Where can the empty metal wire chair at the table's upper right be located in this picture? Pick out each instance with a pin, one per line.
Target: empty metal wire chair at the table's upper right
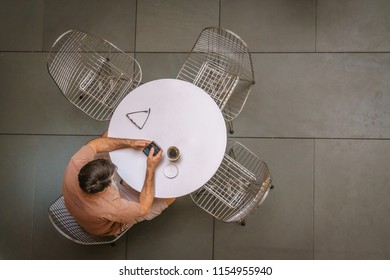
(220, 63)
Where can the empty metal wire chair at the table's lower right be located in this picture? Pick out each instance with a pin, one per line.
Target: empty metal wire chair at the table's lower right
(238, 188)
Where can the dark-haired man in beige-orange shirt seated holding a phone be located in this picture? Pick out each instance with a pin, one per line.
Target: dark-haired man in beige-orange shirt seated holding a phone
(93, 197)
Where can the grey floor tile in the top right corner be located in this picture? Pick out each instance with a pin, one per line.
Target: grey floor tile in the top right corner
(353, 26)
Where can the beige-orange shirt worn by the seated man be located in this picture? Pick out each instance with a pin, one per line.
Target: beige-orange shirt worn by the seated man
(102, 213)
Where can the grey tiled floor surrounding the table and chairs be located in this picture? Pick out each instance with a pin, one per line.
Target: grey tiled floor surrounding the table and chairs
(318, 115)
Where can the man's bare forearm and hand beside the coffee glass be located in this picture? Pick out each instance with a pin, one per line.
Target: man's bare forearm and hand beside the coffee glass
(147, 193)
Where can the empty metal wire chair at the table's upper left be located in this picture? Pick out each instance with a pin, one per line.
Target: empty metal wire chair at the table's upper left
(92, 73)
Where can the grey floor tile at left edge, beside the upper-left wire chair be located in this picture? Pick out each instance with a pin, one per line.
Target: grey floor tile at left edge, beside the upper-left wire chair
(31, 103)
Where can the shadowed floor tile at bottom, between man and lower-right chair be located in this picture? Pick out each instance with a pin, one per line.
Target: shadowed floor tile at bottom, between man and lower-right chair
(183, 231)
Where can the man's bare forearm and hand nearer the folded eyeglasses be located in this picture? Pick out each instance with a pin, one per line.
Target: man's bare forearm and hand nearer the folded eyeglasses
(108, 144)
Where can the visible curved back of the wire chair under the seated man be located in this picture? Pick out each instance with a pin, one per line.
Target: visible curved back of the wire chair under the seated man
(63, 221)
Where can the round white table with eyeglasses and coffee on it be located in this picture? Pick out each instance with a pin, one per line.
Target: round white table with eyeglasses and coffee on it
(181, 115)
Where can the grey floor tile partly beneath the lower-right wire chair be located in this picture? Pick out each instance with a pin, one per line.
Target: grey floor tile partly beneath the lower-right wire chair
(282, 227)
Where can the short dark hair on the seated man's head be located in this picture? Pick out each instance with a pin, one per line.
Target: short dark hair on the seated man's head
(95, 176)
